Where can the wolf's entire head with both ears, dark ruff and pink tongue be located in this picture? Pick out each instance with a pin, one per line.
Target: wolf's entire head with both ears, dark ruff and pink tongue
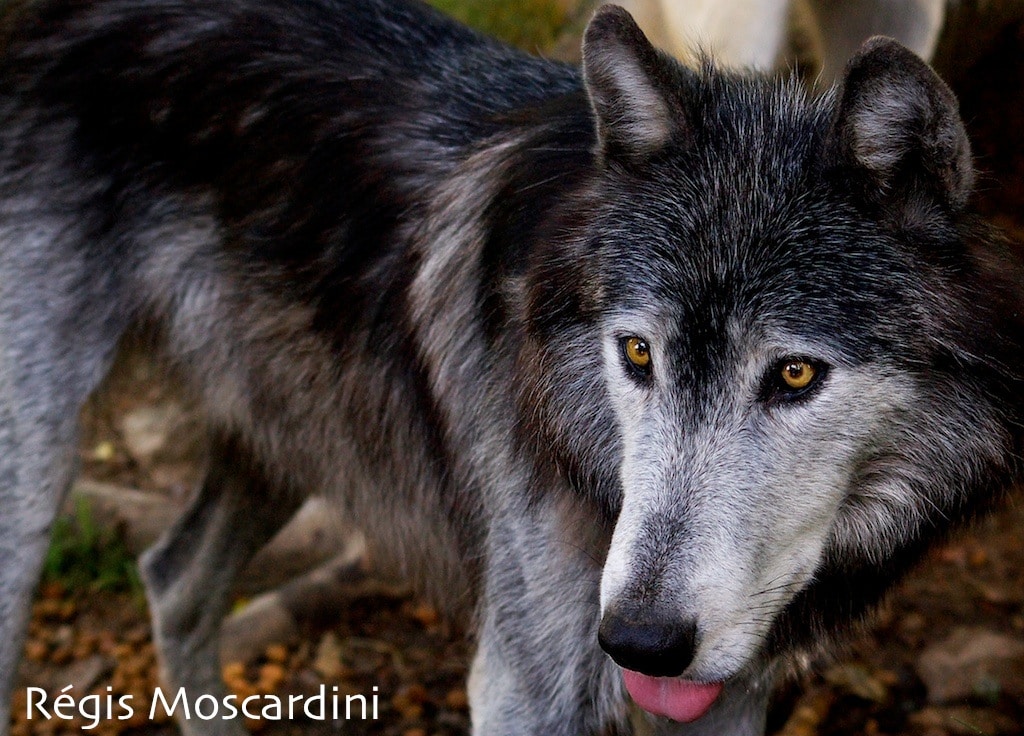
(799, 343)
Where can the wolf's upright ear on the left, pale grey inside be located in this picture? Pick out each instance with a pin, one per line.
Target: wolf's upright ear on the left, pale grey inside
(630, 88)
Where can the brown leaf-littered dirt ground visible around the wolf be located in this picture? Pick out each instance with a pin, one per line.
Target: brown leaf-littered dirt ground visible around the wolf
(946, 657)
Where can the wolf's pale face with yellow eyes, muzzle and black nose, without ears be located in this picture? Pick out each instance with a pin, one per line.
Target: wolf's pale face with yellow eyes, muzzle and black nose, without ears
(749, 415)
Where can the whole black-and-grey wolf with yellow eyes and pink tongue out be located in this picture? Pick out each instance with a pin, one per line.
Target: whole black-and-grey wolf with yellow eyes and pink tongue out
(664, 375)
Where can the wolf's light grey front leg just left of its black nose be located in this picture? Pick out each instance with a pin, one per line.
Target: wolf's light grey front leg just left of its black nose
(539, 669)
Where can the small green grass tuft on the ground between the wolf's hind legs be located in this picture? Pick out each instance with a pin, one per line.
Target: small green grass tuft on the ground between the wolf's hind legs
(84, 557)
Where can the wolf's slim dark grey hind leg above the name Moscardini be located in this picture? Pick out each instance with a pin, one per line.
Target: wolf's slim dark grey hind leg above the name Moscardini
(190, 573)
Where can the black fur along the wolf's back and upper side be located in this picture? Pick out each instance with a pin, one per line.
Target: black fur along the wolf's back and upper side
(265, 104)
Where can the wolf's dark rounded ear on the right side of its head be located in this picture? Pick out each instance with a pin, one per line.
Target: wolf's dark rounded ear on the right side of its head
(899, 124)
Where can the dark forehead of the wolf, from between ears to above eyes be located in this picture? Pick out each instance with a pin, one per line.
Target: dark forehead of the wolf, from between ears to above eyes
(741, 229)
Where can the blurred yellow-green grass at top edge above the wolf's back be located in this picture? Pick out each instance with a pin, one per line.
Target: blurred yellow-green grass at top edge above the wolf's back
(531, 25)
